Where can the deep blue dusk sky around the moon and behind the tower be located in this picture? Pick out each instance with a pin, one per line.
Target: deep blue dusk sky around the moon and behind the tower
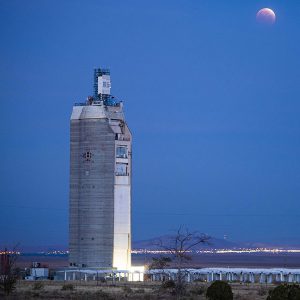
(212, 99)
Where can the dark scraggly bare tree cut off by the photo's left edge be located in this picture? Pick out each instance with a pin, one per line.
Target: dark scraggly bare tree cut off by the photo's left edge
(8, 271)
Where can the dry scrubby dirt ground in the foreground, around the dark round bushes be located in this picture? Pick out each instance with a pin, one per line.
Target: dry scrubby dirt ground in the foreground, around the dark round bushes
(140, 290)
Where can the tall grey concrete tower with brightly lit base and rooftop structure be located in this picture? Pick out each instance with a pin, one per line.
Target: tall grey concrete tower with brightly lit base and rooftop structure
(100, 181)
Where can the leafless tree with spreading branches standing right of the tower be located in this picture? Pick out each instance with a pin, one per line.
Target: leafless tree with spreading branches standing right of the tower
(181, 246)
